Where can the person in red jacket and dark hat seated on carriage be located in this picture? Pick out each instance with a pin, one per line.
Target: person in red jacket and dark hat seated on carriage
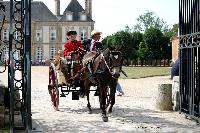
(72, 45)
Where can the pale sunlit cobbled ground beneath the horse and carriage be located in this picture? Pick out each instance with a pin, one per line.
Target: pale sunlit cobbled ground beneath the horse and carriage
(134, 112)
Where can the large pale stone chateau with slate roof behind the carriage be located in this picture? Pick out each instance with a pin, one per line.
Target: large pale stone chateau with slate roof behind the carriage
(49, 29)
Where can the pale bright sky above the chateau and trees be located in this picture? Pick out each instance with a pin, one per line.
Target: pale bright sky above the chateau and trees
(111, 16)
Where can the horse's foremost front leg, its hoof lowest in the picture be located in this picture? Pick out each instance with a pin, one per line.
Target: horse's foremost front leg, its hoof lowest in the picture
(102, 98)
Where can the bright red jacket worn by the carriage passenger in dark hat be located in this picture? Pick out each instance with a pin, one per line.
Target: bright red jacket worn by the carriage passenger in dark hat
(72, 47)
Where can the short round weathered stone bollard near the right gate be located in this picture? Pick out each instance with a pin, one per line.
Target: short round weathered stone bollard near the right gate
(164, 97)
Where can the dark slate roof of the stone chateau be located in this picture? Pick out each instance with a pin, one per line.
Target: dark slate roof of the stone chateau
(41, 13)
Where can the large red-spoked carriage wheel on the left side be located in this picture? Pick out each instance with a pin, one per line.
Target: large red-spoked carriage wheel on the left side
(53, 86)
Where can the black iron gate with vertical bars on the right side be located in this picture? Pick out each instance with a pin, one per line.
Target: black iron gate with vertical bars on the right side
(189, 54)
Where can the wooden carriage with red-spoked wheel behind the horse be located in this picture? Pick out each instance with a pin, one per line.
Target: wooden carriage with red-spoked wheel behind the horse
(65, 79)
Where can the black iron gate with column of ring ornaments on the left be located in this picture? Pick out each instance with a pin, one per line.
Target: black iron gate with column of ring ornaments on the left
(15, 55)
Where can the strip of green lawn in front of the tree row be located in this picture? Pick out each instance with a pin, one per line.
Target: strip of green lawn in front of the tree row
(142, 72)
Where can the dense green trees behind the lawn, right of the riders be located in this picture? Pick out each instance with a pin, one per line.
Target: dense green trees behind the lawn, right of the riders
(149, 39)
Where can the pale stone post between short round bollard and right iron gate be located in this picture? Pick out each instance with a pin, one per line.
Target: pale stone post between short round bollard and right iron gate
(175, 93)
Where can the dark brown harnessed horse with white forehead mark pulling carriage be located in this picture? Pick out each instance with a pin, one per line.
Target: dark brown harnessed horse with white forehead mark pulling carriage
(107, 67)
